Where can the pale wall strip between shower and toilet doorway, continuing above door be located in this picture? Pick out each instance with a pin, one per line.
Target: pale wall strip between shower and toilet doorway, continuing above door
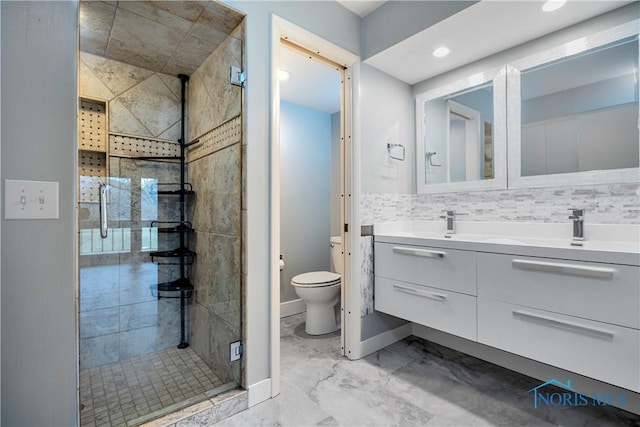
(334, 23)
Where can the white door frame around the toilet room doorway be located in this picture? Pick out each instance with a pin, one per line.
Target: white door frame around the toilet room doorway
(350, 330)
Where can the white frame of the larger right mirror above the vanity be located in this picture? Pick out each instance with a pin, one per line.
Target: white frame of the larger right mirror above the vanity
(514, 70)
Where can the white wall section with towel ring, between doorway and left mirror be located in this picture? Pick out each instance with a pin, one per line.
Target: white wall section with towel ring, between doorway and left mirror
(387, 117)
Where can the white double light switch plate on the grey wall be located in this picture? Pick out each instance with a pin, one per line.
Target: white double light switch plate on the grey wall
(30, 199)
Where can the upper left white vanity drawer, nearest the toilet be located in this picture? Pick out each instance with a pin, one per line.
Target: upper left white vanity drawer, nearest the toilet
(435, 267)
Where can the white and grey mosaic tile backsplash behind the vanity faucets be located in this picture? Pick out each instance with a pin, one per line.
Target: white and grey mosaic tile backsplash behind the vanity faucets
(604, 204)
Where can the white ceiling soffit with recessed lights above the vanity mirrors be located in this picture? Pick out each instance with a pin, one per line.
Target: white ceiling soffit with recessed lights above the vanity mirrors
(471, 35)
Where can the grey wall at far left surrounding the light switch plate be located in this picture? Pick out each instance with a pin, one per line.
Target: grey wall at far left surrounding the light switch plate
(39, 335)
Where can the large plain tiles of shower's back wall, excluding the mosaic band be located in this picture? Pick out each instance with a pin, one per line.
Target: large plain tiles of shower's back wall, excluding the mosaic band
(120, 317)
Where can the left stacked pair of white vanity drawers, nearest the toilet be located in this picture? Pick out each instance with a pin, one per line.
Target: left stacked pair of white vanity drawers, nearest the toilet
(430, 286)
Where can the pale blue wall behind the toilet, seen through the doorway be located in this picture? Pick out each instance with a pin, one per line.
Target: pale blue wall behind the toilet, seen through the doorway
(305, 192)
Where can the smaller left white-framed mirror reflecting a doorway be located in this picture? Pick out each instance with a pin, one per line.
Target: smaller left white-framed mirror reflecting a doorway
(460, 135)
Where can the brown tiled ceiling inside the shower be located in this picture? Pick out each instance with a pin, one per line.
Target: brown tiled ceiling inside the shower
(163, 36)
